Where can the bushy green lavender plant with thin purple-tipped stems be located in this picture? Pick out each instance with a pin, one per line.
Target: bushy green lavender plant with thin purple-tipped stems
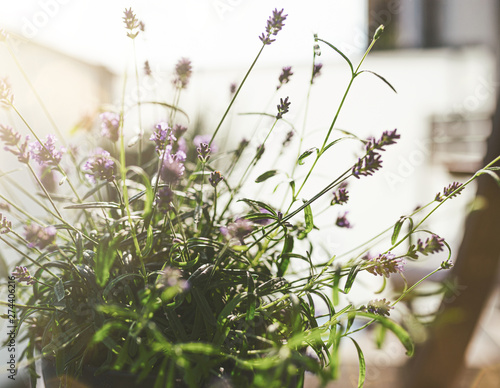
(164, 273)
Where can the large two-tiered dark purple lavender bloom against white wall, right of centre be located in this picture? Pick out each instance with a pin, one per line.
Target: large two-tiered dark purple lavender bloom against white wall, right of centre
(372, 161)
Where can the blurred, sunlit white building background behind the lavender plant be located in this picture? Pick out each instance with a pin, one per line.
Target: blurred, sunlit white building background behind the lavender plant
(440, 55)
